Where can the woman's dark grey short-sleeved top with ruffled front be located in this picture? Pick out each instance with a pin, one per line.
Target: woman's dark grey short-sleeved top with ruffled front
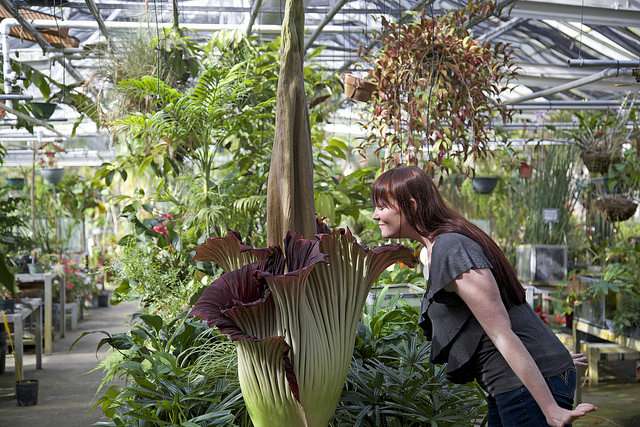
(458, 338)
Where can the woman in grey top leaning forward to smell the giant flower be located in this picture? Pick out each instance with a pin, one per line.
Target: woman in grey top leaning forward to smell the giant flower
(474, 311)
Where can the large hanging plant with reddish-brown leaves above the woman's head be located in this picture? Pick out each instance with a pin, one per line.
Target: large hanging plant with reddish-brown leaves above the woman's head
(437, 90)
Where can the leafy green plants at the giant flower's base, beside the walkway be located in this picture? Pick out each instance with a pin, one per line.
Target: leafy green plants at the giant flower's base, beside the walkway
(160, 383)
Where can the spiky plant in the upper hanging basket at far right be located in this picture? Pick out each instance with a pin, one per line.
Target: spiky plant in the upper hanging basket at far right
(601, 135)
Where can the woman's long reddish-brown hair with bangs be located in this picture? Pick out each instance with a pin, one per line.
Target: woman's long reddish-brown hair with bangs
(433, 217)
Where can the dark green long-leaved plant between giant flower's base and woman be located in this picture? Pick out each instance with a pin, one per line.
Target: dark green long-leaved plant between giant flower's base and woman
(403, 388)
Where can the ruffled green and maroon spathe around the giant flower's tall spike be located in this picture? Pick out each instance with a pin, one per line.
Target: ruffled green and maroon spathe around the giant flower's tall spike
(293, 315)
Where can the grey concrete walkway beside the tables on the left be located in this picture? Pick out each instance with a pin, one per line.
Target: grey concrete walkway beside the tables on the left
(66, 388)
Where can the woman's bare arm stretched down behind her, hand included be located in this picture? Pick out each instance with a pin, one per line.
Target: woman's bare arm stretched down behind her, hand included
(479, 291)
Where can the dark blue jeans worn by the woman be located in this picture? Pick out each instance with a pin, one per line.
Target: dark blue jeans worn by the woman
(516, 408)
